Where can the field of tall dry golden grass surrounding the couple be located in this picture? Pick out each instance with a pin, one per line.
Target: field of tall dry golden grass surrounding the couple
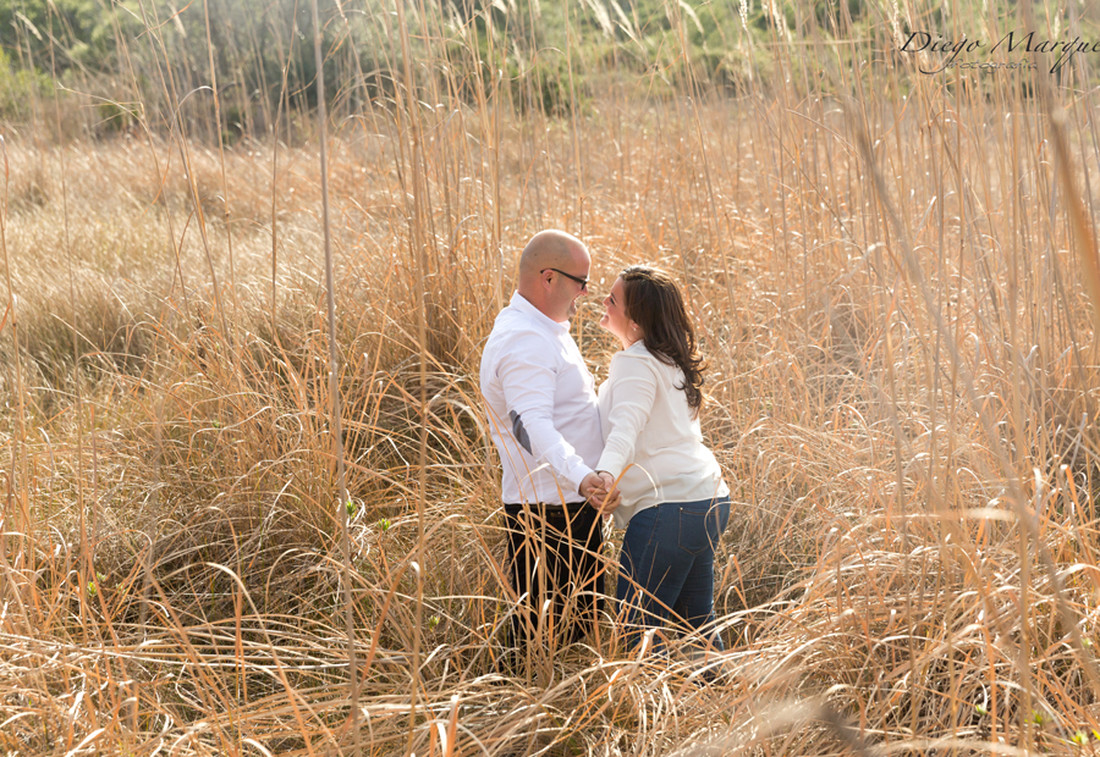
(895, 280)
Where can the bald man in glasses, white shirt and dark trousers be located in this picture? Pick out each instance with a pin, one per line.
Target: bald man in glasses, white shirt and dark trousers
(545, 422)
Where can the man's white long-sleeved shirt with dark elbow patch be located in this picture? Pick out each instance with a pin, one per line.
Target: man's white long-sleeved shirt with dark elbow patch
(543, 409)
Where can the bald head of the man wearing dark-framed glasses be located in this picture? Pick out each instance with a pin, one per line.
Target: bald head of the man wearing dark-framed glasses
(554, 273)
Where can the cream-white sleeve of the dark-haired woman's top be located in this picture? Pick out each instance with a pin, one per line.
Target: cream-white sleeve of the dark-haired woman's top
(633, 385)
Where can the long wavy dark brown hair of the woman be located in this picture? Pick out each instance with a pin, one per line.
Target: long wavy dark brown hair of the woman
(653, 301)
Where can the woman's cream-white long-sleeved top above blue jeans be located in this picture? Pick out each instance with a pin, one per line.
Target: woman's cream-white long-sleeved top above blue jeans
(653, 436)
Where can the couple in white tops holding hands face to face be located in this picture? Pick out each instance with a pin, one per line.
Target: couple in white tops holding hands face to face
(633, 451)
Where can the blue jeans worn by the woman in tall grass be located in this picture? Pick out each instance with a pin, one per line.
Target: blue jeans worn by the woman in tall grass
(667, 566)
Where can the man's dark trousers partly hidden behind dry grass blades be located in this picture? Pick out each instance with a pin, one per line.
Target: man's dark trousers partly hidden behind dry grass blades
(554, 554)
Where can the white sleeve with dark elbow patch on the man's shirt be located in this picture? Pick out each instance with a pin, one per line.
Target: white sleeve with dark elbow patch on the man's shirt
(529, 380)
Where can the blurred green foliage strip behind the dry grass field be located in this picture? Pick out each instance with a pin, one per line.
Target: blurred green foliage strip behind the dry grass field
(114, 65)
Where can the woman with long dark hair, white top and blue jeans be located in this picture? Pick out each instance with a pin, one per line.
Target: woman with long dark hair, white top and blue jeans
(675, 503)
